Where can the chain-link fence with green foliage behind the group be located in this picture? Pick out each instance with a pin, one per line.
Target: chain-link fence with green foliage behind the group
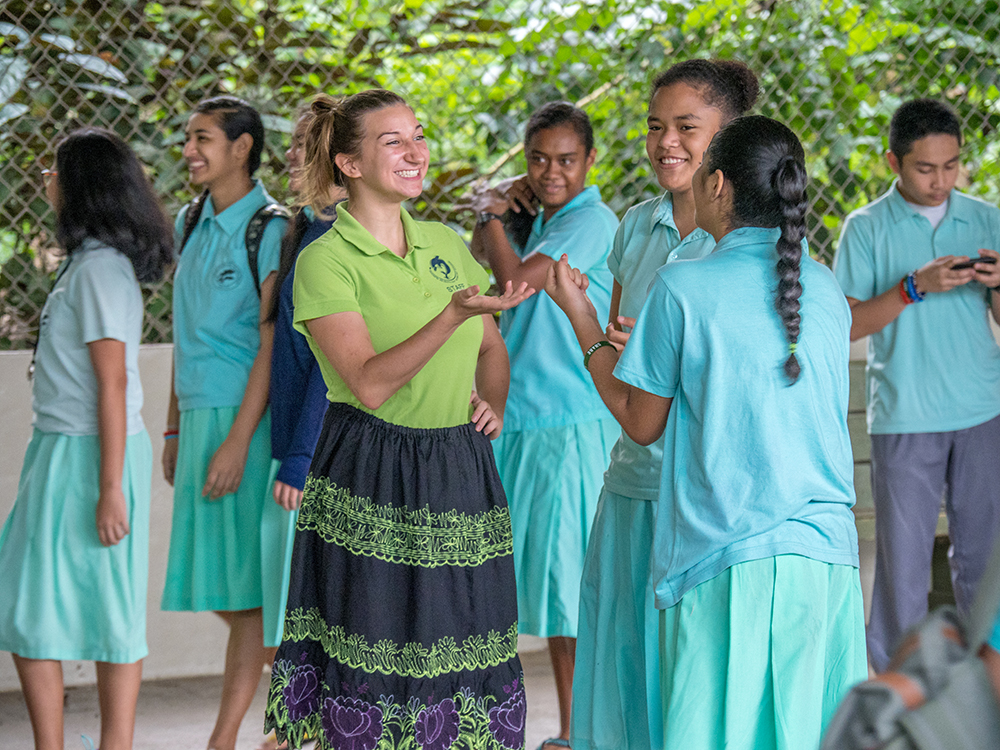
(833, 70)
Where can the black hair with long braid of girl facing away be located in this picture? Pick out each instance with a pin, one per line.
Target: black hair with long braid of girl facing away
(765, 164)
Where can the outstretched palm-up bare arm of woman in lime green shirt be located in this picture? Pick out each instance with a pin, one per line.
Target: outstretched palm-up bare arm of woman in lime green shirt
(373, 378)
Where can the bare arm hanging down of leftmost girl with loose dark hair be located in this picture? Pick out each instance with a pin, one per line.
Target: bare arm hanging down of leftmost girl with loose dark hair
(108, 358)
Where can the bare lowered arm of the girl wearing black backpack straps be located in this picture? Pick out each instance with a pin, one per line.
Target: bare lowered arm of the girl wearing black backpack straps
(225, 470)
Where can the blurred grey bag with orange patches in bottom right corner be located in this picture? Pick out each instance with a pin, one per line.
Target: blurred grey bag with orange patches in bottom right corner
(936, 694)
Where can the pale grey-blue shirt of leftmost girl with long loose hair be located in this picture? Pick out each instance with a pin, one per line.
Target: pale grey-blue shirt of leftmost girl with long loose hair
(96, 297)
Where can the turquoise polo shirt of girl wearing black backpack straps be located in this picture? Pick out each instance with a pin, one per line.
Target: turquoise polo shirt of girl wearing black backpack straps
(216, 306)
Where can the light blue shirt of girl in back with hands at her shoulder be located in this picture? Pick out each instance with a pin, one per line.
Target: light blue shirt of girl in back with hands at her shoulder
(549, 386)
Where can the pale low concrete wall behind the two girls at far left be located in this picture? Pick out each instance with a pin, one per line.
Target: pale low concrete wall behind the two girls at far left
(180, 643)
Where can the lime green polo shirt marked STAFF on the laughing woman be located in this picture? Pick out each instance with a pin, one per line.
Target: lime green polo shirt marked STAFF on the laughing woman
(348, 270)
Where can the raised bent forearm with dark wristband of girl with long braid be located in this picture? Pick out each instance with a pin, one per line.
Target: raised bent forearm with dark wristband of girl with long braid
(641, 414)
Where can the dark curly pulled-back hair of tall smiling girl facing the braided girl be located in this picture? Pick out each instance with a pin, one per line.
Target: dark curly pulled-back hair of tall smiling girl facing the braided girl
(728, 85)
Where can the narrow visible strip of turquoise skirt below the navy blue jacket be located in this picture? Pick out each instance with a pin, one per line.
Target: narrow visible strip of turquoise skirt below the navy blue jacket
(277, 533)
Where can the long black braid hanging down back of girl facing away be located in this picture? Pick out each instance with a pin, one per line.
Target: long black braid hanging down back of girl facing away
(789, 182)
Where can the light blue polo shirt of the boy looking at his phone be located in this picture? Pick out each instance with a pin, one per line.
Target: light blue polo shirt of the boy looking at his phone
(936, 368)
